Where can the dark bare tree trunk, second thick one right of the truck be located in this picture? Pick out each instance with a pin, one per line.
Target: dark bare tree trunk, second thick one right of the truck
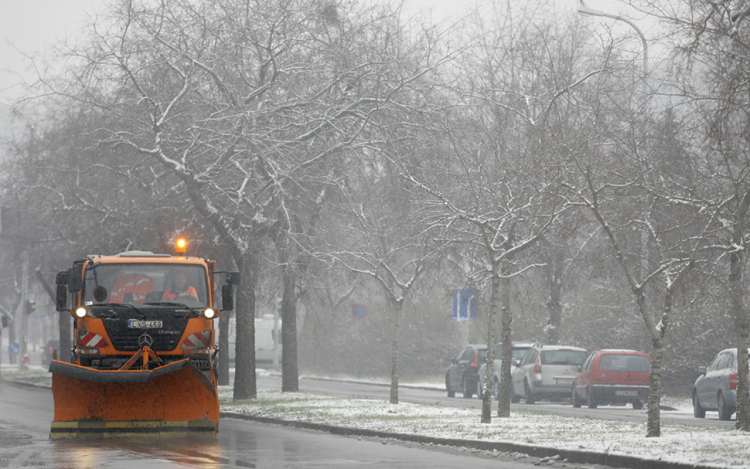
(289, 371)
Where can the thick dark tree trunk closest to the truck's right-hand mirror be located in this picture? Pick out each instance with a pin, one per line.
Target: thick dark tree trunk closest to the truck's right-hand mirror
(244, 356)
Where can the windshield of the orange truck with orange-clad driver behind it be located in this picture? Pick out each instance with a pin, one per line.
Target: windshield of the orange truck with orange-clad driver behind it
(141, 283)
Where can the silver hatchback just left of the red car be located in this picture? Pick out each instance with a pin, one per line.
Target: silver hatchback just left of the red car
(547, 372)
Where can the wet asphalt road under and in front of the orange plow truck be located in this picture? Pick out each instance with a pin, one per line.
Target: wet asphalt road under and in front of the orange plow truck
(26, 413)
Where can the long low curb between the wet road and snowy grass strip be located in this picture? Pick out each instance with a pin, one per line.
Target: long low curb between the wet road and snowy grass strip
(573, 456)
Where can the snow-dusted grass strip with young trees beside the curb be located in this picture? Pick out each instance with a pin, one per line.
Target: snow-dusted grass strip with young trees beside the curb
(679, 443)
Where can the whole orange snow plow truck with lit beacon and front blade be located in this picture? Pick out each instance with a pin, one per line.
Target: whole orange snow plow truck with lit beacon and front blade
(143, 360)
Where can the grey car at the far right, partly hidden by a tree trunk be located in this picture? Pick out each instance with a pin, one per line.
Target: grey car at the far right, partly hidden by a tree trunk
(716, 387)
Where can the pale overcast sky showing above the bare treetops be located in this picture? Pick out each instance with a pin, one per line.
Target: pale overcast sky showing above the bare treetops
(30, 26)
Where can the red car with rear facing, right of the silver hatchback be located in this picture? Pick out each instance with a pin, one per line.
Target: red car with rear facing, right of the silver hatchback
(613, 377)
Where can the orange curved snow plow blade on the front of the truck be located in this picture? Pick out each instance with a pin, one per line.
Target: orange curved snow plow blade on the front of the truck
(173, 401)
